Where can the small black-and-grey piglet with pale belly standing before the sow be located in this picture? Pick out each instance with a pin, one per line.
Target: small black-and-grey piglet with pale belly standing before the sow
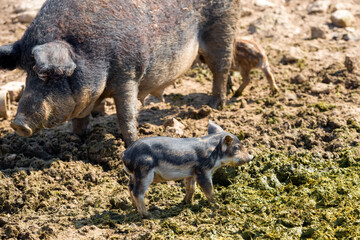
(159, 159)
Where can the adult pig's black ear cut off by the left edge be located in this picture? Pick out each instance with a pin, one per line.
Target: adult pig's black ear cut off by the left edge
(9, 55)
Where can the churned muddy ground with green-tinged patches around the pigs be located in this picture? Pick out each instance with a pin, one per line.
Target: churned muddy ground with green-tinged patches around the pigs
(303, 182)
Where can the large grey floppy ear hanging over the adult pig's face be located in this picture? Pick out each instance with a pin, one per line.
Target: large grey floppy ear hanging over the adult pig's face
(54, 58)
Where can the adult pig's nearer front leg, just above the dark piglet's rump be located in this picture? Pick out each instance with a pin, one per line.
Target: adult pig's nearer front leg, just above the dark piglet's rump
(126, 109)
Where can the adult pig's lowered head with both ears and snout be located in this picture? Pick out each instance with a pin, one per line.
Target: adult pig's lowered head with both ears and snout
(52, 94)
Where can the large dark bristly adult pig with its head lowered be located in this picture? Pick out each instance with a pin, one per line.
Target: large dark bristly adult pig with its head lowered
(78, 52)
